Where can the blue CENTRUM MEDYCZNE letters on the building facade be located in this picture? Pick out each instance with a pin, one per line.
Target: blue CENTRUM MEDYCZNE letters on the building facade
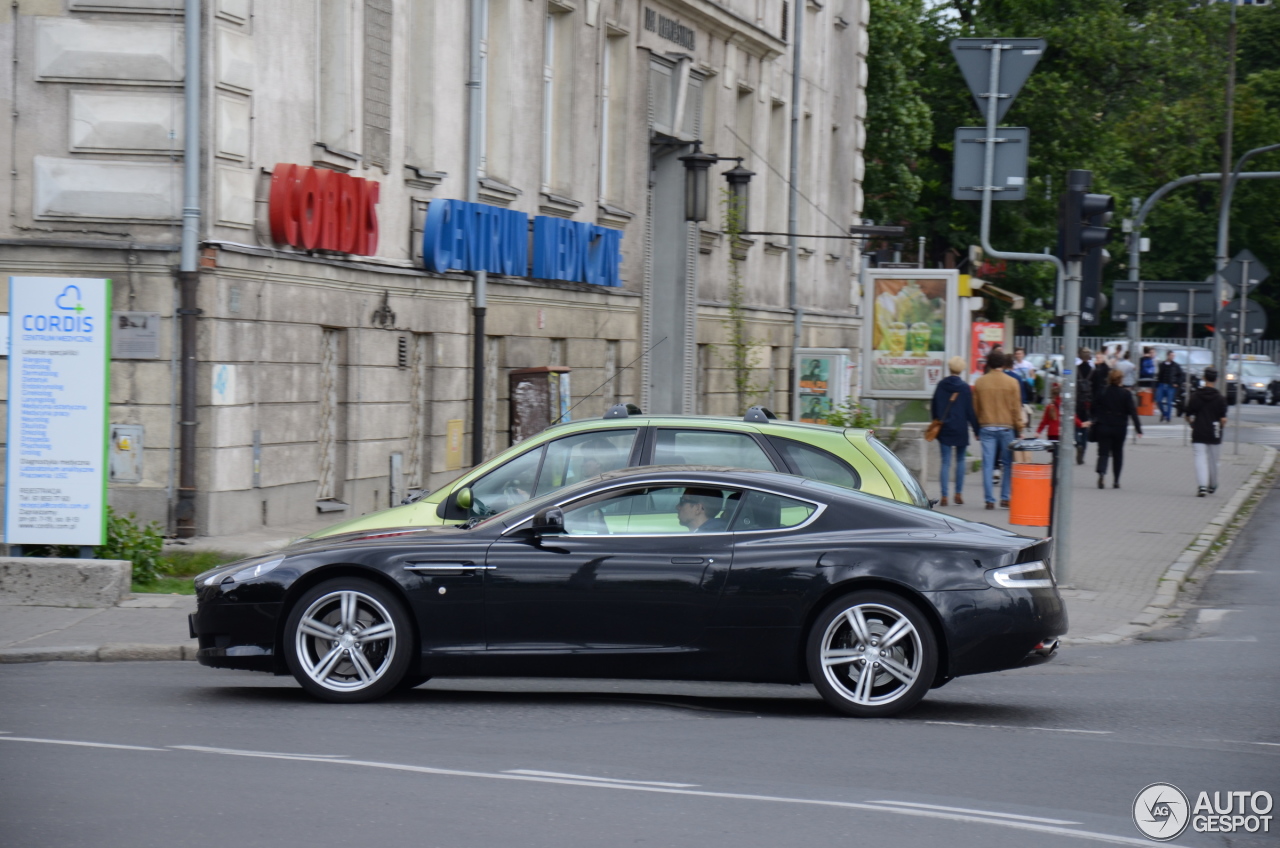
(464, 236)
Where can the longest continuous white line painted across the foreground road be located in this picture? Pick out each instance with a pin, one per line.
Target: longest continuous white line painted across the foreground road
(705, 794)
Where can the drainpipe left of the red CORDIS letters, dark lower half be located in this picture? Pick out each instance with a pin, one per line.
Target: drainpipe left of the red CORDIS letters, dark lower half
(189, 276)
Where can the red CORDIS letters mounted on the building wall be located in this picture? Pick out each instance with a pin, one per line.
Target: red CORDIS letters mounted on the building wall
(319, 209)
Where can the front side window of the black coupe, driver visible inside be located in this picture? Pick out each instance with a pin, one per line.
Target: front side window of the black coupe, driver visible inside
(653, 510)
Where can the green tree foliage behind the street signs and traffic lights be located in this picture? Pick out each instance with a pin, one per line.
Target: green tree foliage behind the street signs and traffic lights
(1133, 92)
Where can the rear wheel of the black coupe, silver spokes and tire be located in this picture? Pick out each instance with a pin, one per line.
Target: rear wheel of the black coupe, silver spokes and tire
(860, 674)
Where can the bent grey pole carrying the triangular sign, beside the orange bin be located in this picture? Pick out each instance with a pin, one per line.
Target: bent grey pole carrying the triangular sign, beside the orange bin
(1071, 321)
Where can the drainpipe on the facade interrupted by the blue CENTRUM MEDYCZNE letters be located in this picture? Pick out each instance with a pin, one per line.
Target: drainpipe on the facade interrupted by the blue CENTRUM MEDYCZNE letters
(476, 124)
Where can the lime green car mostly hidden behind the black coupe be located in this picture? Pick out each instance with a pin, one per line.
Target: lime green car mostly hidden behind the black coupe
(575, 452)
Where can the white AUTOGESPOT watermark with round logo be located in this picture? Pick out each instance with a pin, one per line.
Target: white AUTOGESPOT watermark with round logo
(1163, 813)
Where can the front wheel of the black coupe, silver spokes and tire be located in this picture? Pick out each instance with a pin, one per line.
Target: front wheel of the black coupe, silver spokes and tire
(327, 653)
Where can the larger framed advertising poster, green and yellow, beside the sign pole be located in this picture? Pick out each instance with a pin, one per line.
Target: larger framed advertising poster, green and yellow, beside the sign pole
(911, 332)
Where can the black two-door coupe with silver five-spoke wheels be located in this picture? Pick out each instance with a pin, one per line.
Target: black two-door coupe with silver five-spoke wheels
(670, 573)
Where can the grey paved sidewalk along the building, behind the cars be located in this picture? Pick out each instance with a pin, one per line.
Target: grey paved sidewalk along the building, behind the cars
(1130, 551)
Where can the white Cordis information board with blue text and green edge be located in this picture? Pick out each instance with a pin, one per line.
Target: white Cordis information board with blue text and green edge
(56, 471)
